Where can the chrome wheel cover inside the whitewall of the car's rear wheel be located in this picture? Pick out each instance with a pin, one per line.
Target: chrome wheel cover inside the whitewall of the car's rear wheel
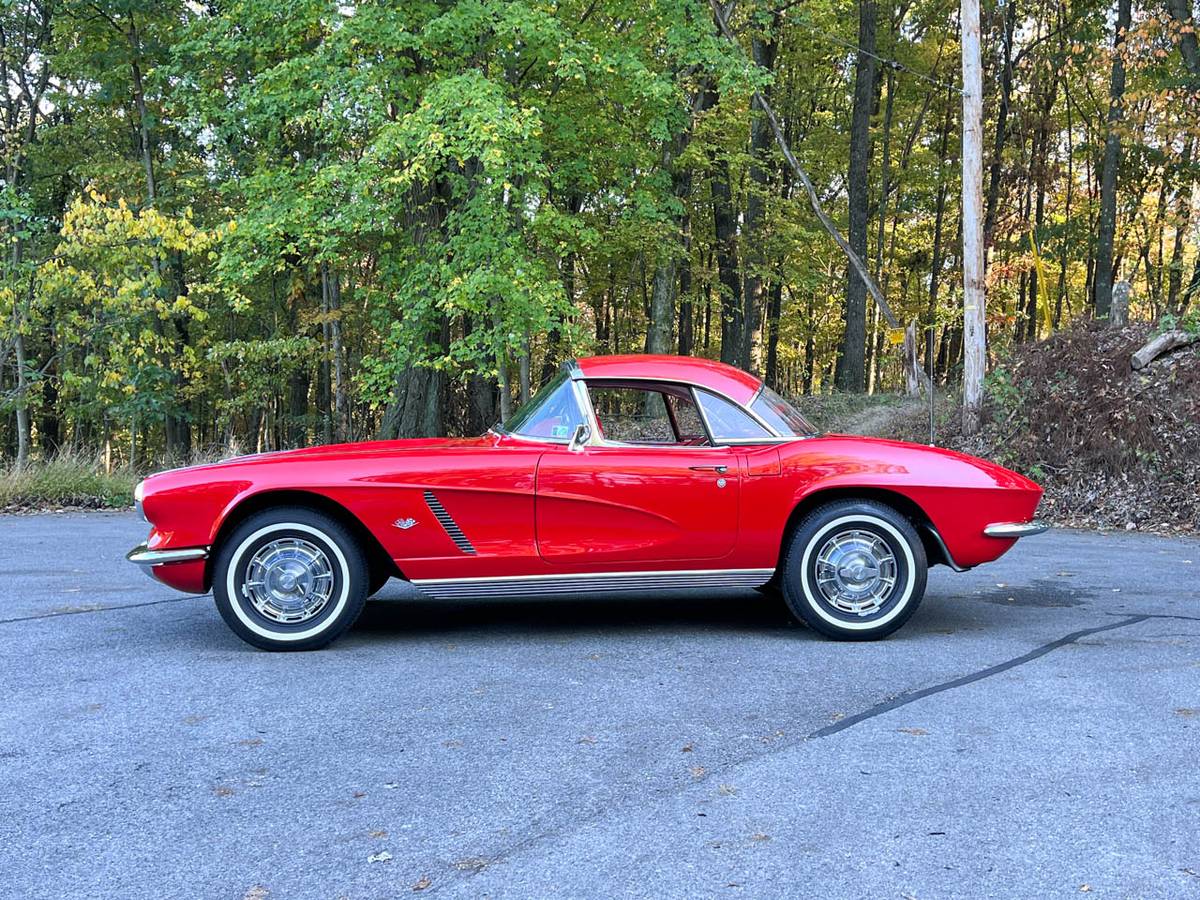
(856, 572)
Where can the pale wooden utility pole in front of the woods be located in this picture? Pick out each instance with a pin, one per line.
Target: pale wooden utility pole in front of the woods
(975, 347)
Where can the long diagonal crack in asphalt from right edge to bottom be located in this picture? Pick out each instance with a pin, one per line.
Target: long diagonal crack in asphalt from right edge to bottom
(657, 796)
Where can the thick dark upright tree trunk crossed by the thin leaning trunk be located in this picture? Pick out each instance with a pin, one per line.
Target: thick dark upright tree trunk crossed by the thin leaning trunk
(851, 371)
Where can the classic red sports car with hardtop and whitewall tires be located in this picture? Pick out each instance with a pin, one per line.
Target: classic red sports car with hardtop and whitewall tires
(625, 473)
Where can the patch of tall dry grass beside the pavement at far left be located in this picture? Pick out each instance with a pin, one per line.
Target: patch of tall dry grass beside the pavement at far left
(67, 481)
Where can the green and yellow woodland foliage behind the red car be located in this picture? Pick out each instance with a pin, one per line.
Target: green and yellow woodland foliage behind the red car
(266, 223)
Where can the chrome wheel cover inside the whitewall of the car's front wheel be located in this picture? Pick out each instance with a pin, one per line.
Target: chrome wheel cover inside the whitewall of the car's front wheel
(289, 581)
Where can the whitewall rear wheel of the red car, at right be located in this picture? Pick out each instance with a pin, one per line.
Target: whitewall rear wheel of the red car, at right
(855, 571)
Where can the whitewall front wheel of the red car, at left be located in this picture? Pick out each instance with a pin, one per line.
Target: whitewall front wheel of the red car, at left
(290, 579)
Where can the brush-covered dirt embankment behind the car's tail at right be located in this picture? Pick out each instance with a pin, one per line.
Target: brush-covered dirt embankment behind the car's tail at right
(1114, 448)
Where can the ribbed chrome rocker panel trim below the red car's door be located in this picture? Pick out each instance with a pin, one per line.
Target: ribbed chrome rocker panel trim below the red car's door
(590, 583)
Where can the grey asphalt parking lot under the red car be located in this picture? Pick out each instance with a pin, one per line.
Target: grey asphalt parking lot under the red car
(1034, 731)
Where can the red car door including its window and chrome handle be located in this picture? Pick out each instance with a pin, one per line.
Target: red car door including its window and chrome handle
(647, 490)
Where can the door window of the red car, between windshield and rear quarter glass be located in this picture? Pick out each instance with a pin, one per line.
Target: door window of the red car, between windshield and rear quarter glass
(646, 416)
